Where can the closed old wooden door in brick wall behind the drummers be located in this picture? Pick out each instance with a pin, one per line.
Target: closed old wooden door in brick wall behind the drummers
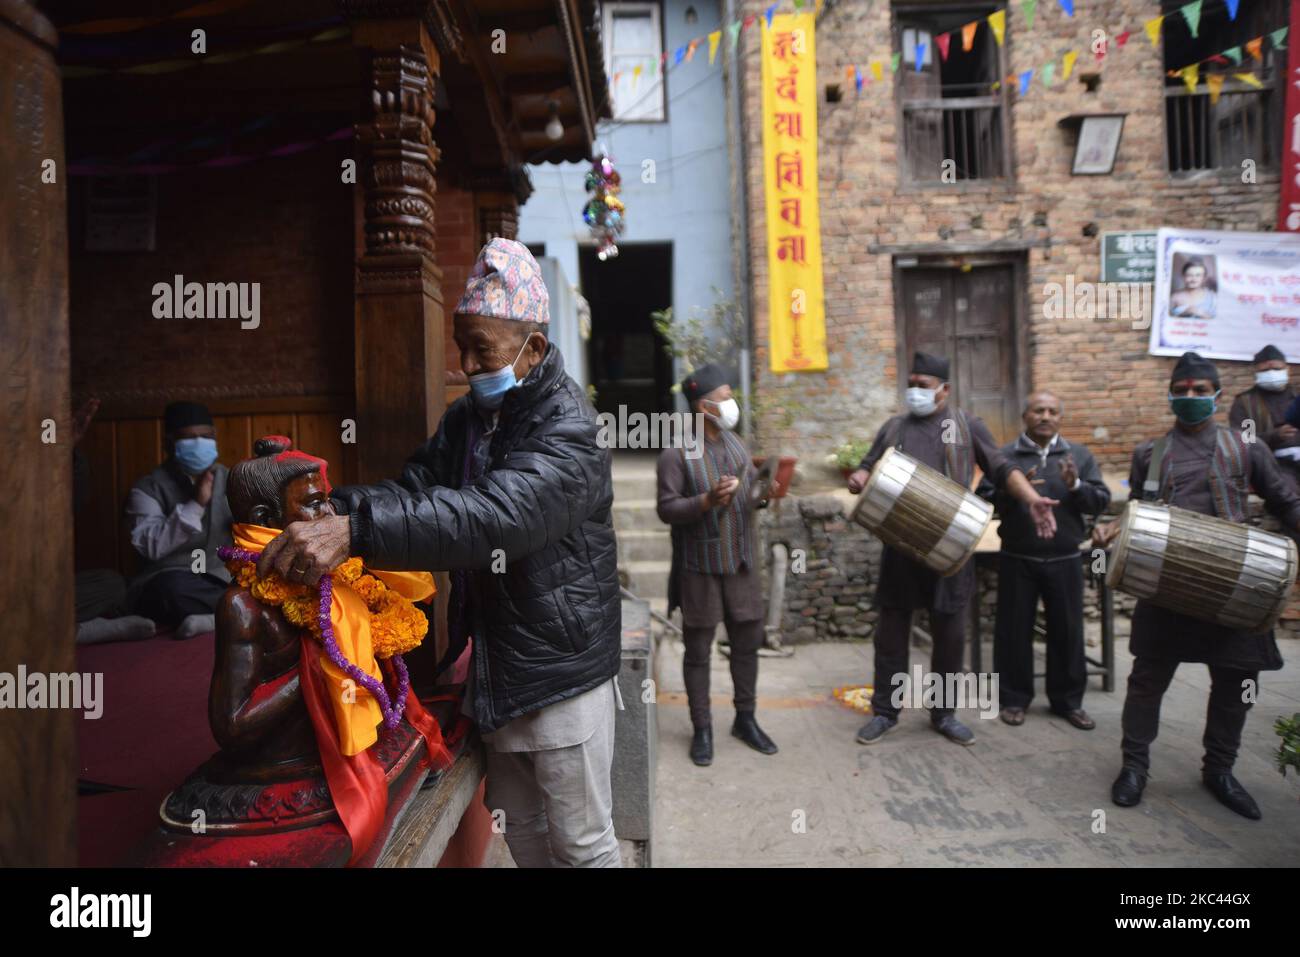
(970, 318)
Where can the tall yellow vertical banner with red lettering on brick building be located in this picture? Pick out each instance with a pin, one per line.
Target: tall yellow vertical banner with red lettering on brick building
(798, 310)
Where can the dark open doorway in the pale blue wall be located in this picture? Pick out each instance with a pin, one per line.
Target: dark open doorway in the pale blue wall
(629, 360)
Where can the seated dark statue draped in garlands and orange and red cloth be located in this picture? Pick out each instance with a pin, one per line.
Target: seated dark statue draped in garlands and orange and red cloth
(289, 703)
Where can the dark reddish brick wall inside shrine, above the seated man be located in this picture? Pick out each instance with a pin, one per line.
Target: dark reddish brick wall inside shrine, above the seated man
(285, 224)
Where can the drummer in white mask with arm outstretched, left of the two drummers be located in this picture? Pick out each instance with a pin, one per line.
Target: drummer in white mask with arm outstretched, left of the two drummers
(951, 441)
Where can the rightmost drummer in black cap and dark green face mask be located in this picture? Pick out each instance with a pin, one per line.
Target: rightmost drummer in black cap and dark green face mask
(1207, 469)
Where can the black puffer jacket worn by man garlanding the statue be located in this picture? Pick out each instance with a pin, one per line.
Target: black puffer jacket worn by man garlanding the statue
(549, 627)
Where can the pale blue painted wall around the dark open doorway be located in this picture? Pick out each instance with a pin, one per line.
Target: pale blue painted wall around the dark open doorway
(688, 205)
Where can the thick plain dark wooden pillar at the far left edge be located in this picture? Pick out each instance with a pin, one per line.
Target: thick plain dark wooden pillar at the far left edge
(38, 746)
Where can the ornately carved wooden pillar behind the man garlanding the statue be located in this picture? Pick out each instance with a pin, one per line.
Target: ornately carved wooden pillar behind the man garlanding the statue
(400, 305)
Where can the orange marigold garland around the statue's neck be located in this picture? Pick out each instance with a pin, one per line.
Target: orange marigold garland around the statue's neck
(397, 626)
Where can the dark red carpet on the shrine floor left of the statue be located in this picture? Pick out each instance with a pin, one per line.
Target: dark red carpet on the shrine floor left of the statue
(153, 733)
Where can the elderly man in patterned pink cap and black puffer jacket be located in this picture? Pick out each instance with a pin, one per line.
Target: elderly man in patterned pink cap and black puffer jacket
(514, 497)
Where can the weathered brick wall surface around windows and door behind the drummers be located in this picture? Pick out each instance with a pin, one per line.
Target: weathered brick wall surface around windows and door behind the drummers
(1115, 392)
